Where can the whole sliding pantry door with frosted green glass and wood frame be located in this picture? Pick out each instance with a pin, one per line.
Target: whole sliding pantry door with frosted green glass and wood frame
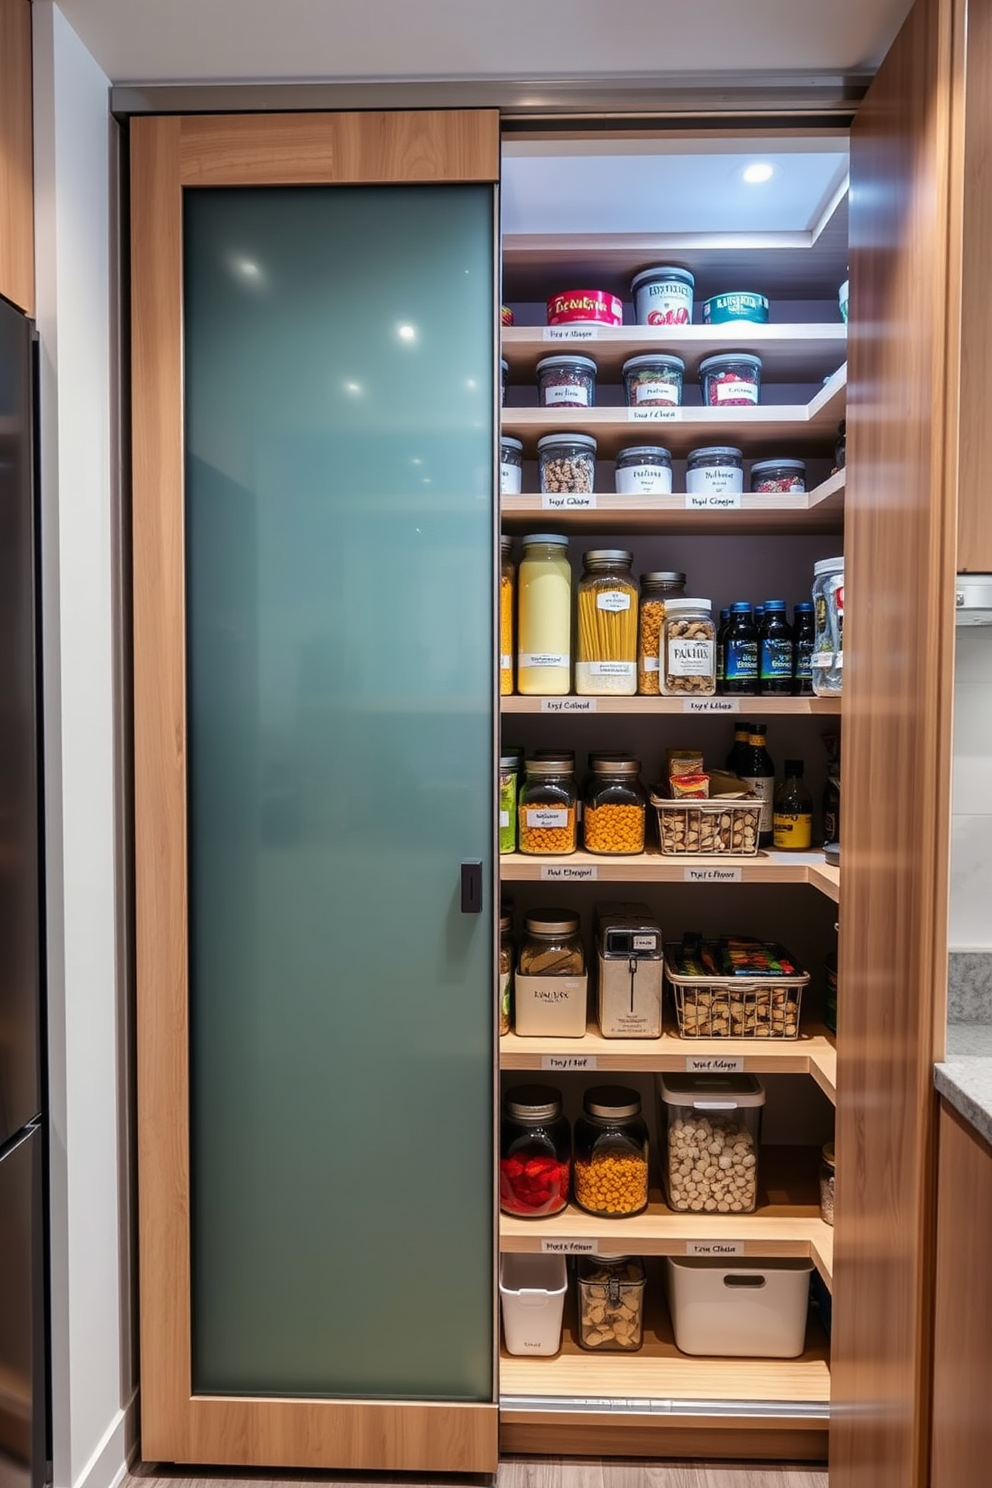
(267, 1057)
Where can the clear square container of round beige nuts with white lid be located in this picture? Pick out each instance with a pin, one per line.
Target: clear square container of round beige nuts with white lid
(712, 1129)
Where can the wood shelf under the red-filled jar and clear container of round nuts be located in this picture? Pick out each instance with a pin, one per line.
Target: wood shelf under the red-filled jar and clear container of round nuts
(786, 1222)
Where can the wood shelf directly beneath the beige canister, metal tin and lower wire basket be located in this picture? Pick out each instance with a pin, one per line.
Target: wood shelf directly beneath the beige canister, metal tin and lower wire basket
(811, 1054)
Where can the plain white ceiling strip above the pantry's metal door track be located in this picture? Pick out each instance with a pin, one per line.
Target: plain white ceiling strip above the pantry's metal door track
(316, 41)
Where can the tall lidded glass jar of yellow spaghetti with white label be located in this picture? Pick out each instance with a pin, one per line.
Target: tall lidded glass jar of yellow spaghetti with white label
(606, 648)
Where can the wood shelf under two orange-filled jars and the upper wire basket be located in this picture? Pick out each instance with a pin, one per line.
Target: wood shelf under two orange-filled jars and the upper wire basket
(654, 868)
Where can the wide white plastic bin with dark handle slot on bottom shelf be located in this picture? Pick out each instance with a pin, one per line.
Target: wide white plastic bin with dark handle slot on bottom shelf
(740, 1309)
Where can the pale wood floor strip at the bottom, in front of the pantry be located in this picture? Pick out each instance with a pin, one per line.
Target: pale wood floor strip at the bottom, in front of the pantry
(515, 1472)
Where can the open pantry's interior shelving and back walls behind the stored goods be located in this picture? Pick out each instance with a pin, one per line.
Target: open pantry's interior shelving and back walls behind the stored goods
(591, 214)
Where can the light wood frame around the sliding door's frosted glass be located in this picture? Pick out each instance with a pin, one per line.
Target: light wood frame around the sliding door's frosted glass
(170, 155)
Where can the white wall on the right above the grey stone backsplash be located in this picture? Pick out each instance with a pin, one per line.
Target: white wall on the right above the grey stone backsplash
(972, 803)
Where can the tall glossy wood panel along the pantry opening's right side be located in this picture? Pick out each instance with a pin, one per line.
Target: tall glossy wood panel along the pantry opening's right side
(901, 527)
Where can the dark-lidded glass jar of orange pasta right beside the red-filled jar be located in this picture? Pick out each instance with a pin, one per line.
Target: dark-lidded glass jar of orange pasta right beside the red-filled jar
(611, 1152)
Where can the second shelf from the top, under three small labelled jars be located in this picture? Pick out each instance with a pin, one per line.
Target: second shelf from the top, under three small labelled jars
(756, 431)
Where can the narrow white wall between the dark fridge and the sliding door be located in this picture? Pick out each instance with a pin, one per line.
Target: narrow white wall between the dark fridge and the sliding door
(75, 194)
